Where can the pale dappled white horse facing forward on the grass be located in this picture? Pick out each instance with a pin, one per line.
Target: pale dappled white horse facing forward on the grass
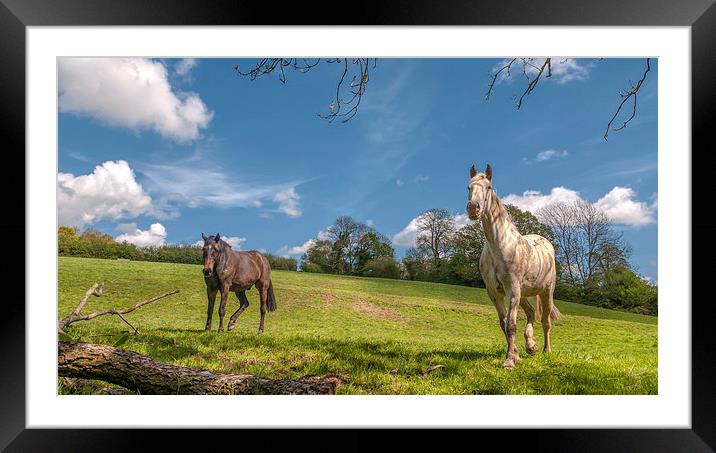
(513, 265)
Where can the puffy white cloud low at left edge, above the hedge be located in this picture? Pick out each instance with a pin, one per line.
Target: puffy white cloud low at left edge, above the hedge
(109, 192)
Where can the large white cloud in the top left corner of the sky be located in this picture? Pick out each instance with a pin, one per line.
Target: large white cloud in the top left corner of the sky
(130, 92)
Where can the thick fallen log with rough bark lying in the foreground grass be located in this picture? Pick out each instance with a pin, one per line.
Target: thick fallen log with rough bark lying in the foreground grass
(137, 372)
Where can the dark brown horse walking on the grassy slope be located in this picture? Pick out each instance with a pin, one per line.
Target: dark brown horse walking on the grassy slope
(227, 270)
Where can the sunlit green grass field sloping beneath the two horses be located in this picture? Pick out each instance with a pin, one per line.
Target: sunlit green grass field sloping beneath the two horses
(381, 335)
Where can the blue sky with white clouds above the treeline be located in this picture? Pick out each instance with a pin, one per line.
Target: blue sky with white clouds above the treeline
(157, 151)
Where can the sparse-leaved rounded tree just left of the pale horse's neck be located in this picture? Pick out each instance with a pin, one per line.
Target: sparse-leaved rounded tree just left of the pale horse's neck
(435, 230)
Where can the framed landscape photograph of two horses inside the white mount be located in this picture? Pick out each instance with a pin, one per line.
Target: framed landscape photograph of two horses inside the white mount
(357, 225)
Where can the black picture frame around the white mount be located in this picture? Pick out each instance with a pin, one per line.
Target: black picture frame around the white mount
(700, 15)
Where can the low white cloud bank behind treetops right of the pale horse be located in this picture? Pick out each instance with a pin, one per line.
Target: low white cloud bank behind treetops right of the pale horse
(618, 204)
